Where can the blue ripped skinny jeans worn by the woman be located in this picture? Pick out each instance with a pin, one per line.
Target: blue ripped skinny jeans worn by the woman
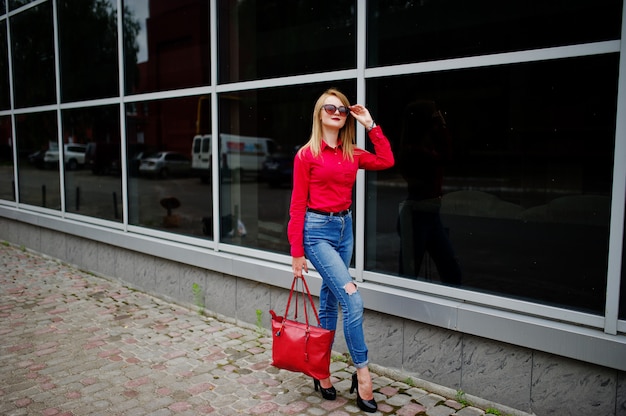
(328, 244)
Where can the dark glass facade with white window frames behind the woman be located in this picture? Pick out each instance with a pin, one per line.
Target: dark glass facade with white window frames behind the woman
(502, 117)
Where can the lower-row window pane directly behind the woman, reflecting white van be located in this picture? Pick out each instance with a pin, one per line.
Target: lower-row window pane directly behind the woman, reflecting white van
(260, 133)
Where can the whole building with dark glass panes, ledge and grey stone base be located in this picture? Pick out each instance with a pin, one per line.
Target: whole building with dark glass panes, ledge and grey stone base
(532, 197)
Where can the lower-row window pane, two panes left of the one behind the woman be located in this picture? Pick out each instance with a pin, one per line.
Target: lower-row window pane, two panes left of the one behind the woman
(91, 138)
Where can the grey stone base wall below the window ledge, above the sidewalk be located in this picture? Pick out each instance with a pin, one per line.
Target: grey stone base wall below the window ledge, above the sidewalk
(521, 378)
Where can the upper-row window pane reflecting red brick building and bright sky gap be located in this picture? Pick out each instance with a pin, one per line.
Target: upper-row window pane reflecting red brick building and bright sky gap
(166, 45)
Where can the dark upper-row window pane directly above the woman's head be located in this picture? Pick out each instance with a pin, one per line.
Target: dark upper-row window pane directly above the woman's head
(266, 39)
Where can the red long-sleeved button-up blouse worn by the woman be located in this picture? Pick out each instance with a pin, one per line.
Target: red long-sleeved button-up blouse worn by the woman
(325, 182)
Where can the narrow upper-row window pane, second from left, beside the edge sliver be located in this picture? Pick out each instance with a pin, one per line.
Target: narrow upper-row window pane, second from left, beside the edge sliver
(33, 56)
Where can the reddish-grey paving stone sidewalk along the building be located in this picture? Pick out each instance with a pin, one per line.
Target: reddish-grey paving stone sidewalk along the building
(72, 343)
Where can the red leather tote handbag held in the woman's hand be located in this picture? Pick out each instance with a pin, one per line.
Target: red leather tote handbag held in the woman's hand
(298, 346)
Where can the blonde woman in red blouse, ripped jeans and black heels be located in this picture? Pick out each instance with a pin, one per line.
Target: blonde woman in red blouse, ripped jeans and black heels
(320, 226)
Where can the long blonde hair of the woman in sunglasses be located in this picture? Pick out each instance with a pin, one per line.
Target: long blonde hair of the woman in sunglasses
(346, 134)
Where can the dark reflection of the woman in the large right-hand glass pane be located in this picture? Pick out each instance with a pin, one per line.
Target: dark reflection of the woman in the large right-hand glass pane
(425, 149)
